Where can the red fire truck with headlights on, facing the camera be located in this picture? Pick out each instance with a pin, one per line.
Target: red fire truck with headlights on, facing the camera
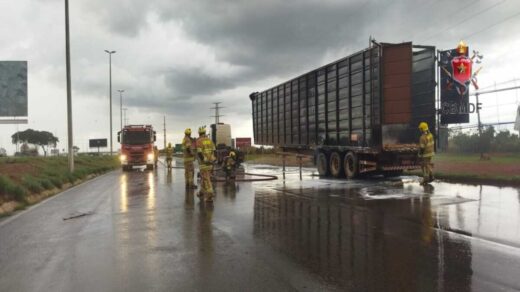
(137, 142)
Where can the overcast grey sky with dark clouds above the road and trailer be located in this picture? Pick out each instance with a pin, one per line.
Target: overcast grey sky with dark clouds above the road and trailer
(176, 57)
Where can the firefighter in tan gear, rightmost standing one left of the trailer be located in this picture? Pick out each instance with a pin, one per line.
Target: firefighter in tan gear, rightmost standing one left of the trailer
(206, 157)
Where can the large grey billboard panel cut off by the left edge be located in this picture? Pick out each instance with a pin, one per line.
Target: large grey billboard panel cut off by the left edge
(13, 89)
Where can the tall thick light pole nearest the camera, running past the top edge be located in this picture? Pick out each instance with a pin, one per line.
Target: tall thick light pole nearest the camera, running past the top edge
(69, 91)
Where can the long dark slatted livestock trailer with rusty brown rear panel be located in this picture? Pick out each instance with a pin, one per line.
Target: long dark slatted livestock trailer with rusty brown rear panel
(356, 115)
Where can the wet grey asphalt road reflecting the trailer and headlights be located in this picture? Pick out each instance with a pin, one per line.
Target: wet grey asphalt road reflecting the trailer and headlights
(141, 231)
